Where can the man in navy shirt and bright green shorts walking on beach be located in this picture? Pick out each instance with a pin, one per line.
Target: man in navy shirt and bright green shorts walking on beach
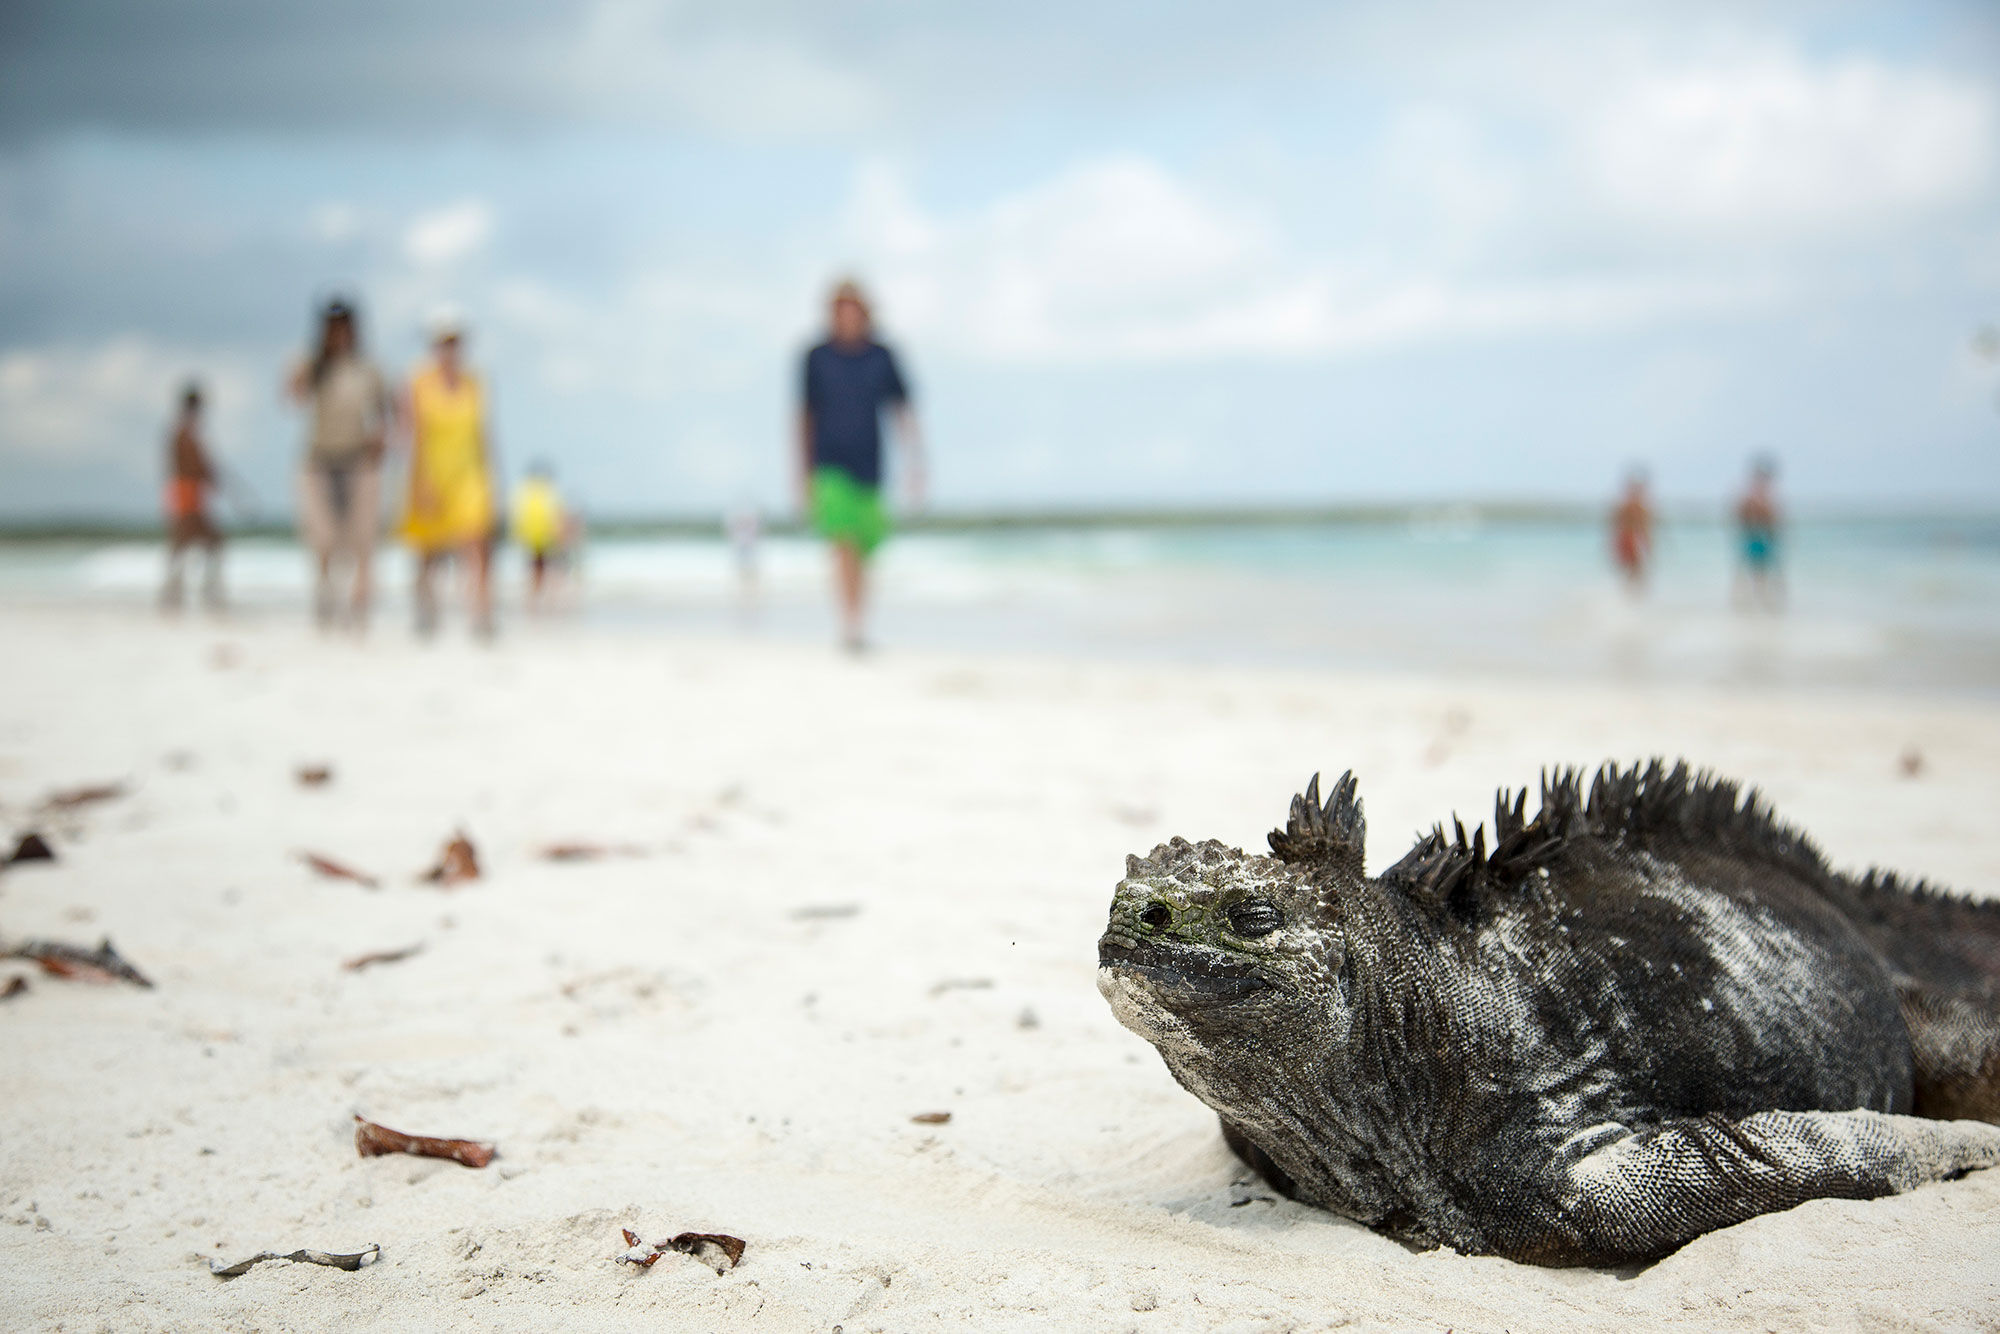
(849, 381)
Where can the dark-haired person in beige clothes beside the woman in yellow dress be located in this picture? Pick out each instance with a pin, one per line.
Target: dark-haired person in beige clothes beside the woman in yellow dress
(341, 485)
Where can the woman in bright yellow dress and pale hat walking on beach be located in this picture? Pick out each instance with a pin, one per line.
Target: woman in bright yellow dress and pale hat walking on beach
(451, 507)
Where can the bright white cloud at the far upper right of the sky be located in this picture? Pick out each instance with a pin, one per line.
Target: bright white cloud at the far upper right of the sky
(1771, 141)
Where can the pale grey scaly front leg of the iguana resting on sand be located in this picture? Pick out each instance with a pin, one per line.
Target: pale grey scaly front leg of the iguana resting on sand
(1641, 1195)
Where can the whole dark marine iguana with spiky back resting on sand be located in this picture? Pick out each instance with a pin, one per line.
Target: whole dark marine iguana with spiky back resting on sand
(1643, 1015)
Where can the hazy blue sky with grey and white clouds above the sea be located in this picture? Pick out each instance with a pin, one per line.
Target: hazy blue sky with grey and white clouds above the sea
(1131, 255)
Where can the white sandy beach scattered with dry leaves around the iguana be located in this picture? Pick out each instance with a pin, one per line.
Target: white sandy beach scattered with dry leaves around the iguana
(661, 1043)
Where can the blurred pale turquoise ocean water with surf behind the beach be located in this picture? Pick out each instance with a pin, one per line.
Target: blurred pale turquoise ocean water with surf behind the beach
(1907, 605)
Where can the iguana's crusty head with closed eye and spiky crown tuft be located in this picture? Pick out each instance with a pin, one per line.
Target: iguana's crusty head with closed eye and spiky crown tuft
(1213, 951)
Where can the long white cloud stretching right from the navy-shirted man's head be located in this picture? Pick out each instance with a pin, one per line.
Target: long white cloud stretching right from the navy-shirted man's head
(1123, 261)
